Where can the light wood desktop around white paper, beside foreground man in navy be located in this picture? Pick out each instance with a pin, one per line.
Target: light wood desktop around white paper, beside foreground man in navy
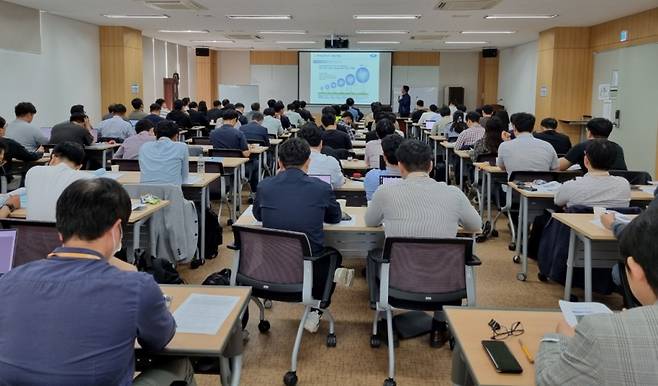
(201, 344)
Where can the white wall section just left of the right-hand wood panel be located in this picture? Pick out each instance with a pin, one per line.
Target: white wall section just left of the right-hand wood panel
(517, 78)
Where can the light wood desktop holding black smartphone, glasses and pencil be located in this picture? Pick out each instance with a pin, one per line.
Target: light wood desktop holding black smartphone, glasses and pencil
(469, 327)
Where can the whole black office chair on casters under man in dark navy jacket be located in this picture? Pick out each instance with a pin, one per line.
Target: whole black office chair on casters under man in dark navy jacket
(278, 265)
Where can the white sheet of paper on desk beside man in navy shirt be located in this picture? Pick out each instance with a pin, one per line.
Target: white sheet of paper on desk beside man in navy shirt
(204, 314)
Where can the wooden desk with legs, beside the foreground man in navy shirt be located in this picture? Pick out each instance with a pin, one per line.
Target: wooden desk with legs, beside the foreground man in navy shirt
(226, 344)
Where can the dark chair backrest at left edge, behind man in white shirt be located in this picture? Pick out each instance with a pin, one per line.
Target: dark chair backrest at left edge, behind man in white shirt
(34, 240)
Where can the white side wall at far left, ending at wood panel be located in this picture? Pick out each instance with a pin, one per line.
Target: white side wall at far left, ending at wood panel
(66, 72)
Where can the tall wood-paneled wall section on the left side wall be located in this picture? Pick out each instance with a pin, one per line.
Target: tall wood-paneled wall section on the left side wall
(121, 65)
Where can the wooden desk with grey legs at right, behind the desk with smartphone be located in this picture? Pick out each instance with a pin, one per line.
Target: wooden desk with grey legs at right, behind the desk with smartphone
(599, 248)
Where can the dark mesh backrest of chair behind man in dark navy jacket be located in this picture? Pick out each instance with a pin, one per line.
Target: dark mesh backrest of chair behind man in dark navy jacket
(271, 258)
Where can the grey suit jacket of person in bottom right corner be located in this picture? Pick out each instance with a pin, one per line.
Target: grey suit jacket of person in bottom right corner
(617, 349)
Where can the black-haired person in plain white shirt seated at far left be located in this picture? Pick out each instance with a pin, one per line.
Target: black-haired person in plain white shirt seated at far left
(44, 184)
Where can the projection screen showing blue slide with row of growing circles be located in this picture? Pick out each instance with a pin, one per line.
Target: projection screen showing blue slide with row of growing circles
(330, 77)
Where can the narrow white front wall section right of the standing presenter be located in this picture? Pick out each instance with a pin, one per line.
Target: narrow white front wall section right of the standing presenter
(460, 69)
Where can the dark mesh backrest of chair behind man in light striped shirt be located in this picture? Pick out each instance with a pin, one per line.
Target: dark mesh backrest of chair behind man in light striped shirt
(427, 268)
